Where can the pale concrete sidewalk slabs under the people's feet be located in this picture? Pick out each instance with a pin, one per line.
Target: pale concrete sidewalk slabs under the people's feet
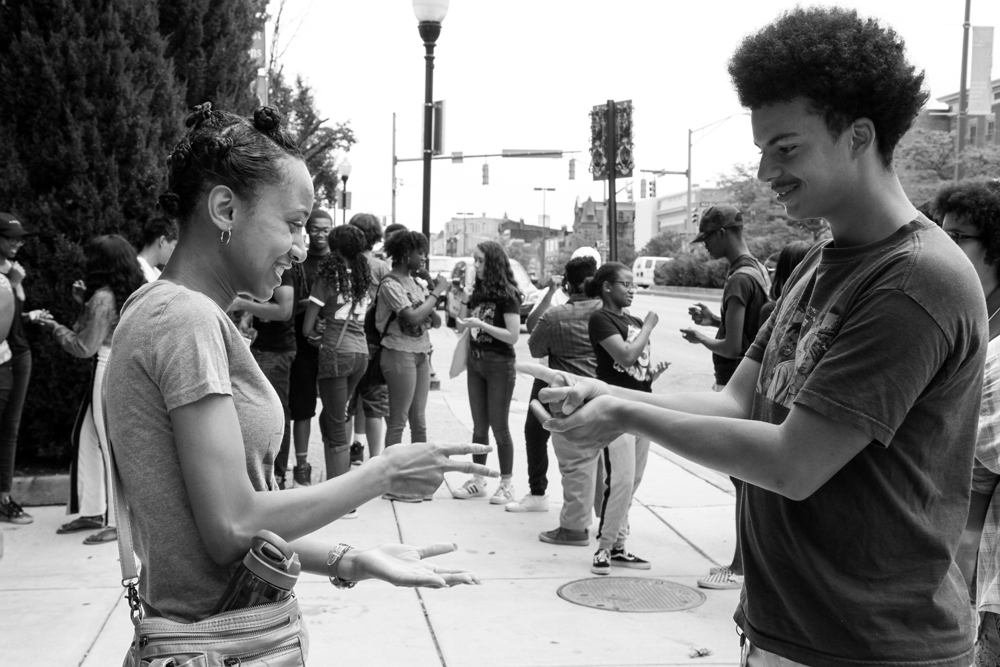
(63, 602)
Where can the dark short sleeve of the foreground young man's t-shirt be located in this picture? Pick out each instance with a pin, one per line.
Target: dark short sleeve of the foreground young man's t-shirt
(888, 332)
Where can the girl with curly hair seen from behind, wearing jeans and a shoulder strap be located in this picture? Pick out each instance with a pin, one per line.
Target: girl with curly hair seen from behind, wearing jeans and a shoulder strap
(340, 296)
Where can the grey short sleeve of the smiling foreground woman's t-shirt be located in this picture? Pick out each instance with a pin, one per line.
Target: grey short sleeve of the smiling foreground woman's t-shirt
(190, 357)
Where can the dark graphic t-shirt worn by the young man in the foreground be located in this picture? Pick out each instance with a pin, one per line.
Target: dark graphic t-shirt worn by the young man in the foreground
(890, 339)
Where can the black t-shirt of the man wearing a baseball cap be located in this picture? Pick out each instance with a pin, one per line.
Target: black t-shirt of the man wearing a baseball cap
(745, 283)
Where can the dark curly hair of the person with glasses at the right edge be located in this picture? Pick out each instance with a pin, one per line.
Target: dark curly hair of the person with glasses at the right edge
(976, 201)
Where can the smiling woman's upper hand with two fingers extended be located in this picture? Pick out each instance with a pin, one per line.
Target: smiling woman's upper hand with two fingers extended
(419, 468)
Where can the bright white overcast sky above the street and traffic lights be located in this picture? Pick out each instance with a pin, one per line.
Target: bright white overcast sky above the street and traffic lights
(525, 74)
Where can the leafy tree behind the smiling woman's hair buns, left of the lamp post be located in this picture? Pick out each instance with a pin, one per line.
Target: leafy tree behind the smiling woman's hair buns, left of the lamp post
(319, 142)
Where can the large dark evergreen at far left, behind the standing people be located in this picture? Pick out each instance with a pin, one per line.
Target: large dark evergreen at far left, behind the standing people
(88, 109)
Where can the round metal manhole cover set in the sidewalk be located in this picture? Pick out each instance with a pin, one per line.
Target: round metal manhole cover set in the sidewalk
(634, 594)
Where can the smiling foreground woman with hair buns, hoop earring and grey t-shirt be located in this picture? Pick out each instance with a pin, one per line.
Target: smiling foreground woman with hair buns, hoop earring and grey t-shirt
(195, 424)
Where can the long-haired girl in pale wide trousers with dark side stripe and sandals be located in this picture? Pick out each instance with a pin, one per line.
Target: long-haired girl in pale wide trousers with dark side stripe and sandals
(112, 274)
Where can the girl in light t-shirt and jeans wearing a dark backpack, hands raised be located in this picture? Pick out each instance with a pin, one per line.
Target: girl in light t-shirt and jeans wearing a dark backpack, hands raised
(405, 311)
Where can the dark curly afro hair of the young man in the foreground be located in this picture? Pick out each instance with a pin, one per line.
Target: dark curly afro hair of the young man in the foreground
(845, 66)
